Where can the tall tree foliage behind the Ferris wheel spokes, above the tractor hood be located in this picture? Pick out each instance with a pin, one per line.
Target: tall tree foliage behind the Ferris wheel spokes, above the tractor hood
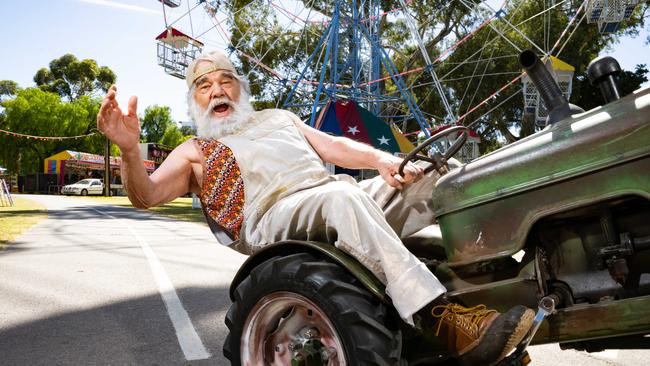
(470, 73)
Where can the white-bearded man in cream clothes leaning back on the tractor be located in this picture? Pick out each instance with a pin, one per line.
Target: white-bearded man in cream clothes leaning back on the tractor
(260, 176)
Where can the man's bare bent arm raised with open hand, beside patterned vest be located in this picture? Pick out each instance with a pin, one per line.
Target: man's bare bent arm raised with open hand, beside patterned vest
(171, 180)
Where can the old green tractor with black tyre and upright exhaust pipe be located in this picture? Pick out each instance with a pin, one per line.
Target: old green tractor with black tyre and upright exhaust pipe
(558, 221)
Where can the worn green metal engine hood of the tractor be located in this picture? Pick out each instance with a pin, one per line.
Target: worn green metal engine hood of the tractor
(589, 158)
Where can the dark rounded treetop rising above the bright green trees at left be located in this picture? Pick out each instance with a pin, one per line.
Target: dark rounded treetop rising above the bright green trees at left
(71, 78)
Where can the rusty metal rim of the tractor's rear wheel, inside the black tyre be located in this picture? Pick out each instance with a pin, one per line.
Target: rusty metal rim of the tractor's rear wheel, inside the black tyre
(286, 328)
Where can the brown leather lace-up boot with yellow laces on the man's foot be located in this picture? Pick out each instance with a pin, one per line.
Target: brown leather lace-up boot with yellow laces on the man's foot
(479, 336)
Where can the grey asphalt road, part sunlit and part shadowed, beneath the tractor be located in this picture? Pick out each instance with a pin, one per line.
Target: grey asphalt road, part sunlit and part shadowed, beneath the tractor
(104, 285)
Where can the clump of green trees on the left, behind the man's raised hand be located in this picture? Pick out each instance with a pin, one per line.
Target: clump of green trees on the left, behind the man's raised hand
(64, 104)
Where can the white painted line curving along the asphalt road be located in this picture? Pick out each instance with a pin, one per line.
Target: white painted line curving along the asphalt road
(188, 339)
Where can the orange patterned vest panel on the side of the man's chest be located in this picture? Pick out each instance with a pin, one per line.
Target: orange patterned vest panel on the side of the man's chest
(222, 192)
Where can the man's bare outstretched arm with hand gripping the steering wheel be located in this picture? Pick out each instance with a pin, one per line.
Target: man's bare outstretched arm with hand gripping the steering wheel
(351, 154)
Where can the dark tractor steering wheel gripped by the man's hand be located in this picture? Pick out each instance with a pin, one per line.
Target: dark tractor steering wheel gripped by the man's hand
(438, 160)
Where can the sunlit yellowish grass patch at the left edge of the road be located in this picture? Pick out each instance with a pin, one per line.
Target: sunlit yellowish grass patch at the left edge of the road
(16, 219)
